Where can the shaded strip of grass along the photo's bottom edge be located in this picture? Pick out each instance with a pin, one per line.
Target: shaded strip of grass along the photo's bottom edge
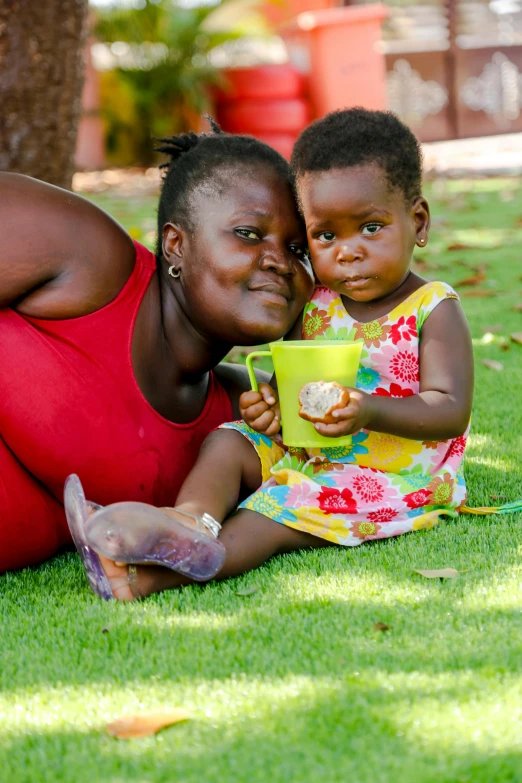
(361, 732)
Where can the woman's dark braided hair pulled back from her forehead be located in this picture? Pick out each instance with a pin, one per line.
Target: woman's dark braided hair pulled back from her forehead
(194, 161)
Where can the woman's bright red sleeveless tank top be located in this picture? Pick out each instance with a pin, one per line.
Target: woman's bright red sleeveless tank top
(70, 403)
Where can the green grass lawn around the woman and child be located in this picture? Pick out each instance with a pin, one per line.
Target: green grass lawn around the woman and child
(292, 683)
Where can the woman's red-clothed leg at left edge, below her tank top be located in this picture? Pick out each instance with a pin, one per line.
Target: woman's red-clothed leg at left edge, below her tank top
(32, 522)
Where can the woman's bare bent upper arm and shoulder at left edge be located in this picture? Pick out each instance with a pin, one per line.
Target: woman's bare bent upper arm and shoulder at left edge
(60, 256)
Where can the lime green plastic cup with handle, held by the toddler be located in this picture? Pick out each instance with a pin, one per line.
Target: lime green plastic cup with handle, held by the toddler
(297, 362)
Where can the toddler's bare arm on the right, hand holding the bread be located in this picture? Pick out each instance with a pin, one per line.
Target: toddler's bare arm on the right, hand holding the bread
(442, 408)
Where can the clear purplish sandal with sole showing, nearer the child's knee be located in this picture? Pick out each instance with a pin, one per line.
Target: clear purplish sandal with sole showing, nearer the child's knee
(132, 532)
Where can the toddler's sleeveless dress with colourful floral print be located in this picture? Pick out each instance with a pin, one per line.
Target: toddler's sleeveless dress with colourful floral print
(380, 485)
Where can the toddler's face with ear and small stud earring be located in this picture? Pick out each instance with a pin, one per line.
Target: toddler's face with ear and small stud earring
(361, 233)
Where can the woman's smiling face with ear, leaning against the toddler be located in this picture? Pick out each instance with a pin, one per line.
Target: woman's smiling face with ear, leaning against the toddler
(245, 275)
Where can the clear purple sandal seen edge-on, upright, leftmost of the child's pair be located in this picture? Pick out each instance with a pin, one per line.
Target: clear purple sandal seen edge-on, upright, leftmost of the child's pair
(77, 513)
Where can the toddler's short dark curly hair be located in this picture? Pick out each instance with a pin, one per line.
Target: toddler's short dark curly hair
(352, 137)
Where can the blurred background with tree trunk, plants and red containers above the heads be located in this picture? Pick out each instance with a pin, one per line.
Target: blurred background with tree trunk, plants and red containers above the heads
(85, 86)
